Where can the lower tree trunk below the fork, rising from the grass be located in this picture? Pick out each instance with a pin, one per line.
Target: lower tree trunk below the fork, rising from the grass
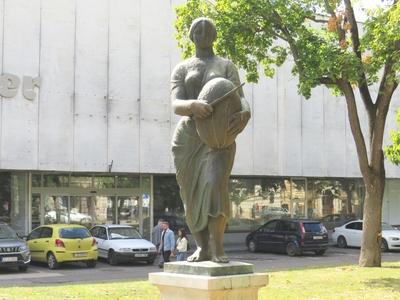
(370, 255)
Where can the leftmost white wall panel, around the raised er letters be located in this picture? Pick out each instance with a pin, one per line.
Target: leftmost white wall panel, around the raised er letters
(19, 130)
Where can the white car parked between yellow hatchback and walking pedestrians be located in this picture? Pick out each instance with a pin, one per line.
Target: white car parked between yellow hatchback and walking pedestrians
(122, 243)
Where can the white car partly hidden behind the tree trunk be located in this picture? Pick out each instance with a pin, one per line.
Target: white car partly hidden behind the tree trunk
(350, 234)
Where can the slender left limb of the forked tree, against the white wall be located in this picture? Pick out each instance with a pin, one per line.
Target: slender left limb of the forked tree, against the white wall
(355, 126)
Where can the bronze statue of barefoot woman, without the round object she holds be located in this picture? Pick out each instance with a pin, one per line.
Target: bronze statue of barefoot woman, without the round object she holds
(202, 172)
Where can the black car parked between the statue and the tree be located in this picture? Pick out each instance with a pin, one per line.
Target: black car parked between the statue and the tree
(289, 236)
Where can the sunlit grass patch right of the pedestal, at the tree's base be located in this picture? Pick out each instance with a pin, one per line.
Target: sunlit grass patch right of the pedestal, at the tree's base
(345, 282)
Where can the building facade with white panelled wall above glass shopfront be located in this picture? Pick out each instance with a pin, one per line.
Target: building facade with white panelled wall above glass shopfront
(90, 141)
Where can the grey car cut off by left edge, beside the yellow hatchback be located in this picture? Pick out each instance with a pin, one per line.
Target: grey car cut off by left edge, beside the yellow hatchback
(13, 251)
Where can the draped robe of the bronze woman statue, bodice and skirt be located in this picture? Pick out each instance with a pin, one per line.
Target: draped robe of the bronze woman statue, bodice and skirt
(202, 173)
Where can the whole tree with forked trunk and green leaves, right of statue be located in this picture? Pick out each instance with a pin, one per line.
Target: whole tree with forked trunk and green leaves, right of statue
(327, 48)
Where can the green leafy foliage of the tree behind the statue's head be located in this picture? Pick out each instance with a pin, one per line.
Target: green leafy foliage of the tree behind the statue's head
(254, 33)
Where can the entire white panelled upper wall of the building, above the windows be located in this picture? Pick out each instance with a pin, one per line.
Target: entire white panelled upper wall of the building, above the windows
(104, 97)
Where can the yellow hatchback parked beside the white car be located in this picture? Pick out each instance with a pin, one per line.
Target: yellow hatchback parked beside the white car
(58, 243)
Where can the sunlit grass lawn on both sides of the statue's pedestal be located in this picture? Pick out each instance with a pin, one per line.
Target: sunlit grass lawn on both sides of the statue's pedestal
(346, 282)
